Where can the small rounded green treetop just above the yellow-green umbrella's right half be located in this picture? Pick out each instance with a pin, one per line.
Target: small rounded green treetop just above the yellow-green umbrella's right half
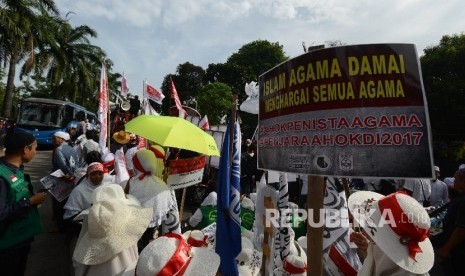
(214, 100)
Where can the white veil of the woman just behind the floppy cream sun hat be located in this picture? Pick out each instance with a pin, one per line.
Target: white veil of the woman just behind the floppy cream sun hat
(80, 198)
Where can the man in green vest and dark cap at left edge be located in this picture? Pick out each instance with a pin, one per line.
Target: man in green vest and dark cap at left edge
(19, 218)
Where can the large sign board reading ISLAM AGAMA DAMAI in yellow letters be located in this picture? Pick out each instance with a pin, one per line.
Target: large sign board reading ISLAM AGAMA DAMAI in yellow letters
(346, 111)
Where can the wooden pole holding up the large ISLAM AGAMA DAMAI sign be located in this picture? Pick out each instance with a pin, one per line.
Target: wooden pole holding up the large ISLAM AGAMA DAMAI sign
(315, 198)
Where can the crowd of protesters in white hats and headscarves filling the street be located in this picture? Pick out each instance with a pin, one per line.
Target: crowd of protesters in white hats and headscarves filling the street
(133, 226)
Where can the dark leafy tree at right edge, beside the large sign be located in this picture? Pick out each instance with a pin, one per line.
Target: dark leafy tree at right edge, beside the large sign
(443, 70)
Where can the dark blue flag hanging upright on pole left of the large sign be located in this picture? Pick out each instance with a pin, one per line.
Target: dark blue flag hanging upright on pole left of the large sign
(228, 231)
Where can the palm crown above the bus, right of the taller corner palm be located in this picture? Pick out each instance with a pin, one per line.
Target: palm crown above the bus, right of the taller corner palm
(69, 61)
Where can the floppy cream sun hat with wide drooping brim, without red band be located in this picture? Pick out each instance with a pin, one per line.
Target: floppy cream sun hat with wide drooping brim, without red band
(113, 224)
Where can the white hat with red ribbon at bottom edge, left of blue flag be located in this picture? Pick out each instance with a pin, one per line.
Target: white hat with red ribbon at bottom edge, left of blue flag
(172, 254)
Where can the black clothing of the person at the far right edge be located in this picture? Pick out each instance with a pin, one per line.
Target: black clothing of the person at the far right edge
(455, 217)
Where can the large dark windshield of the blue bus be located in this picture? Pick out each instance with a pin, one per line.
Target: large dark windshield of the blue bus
(39, 114)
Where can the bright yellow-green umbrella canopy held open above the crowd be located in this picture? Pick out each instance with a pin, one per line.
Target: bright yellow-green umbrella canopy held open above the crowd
(173, 132)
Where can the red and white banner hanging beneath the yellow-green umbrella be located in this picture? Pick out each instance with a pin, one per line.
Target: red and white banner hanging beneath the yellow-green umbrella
(183, 173)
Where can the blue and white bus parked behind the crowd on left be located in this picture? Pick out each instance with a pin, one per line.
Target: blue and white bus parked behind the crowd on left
(43, 117)
